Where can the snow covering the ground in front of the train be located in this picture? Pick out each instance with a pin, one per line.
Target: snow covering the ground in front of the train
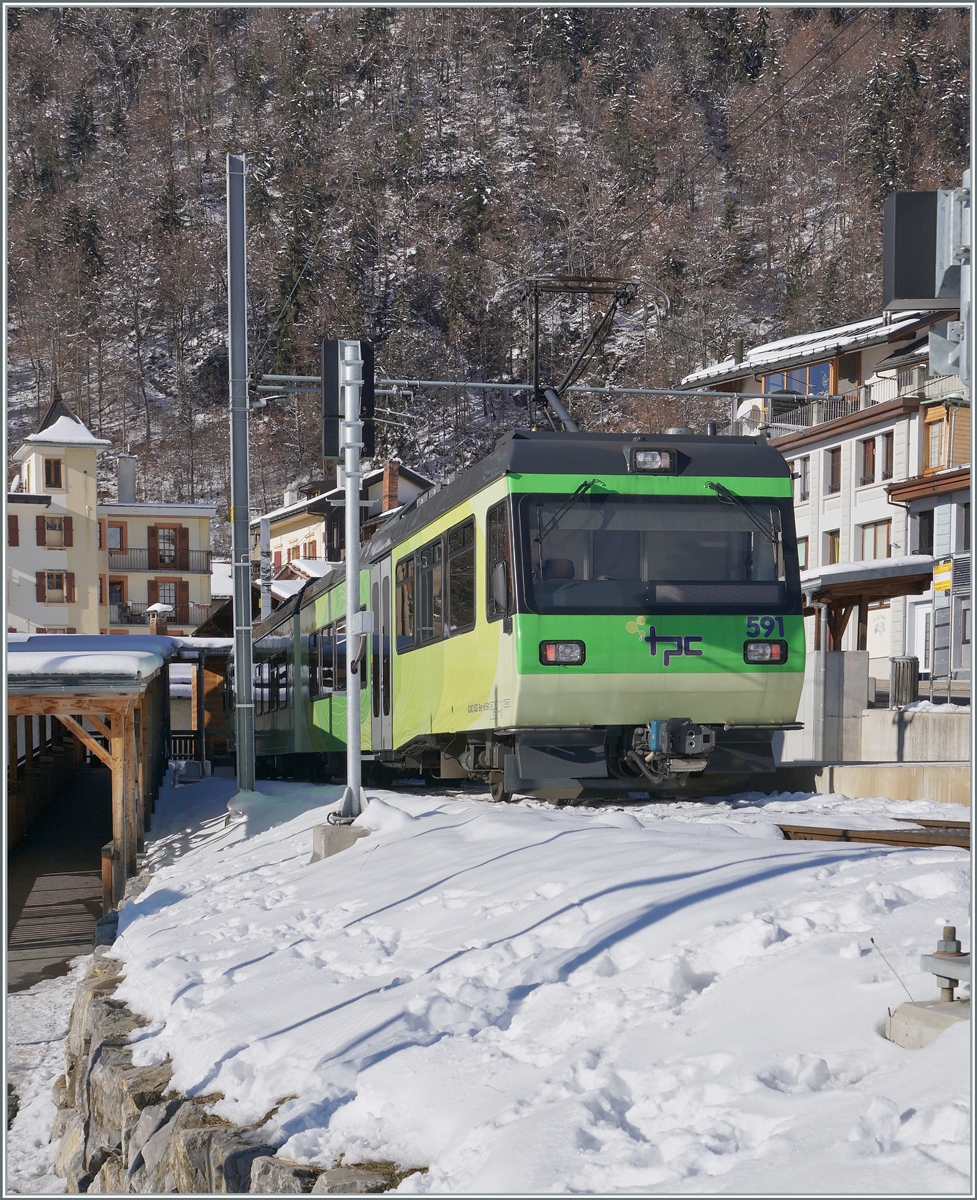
(528, 999)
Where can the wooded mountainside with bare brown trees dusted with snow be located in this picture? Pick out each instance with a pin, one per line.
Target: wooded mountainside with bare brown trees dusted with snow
(409, 167)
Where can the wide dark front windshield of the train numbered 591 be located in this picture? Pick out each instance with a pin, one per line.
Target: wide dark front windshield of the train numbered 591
(648, 554)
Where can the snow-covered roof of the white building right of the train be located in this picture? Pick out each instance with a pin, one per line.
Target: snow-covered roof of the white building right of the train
(801, 349)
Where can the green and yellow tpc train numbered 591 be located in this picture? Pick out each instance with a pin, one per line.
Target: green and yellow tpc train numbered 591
(576, 613)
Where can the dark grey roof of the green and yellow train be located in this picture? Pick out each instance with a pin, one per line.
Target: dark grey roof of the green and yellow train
(546, 453)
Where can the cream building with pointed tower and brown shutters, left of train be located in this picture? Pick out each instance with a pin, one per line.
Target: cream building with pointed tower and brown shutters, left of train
(76, 565)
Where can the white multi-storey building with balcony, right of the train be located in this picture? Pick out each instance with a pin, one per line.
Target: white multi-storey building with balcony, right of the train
(882, 478)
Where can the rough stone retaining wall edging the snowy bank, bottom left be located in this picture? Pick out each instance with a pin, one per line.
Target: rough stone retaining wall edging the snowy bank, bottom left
(123, 1130)
